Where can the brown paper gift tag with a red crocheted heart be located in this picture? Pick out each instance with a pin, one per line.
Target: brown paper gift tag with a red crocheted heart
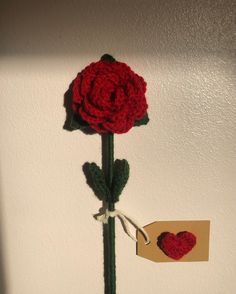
(175, 241)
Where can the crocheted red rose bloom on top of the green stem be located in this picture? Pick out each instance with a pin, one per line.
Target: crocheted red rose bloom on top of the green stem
(109, 96)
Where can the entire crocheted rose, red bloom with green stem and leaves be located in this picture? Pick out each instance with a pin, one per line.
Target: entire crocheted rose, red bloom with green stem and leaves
(108, 97)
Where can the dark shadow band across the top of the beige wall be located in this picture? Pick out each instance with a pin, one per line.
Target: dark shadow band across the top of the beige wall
(84, 27)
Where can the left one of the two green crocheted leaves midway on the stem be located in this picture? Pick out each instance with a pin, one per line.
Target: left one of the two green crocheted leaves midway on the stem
(96, 180)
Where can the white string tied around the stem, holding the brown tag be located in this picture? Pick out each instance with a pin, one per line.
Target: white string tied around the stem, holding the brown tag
(126, 220)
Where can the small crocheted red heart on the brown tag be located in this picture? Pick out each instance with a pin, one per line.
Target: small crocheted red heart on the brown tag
(176, 246)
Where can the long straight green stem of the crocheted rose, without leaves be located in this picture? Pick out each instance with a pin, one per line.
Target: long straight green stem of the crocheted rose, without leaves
(109, 229)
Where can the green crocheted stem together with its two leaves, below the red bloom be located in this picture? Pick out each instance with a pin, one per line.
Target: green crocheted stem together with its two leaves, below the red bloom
(108, 183)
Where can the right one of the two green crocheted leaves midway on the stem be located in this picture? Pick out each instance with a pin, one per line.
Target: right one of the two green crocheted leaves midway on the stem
(120, 177)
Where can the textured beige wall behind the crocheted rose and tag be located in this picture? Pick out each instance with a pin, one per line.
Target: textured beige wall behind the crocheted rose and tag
(183, 163)
